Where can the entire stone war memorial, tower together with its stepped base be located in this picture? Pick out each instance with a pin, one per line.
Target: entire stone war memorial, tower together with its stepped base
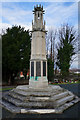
(38, 96)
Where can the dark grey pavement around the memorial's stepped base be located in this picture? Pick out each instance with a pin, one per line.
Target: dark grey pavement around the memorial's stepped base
(72, 113)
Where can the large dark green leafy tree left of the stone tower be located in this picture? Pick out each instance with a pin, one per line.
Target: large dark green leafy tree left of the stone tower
(16, 44)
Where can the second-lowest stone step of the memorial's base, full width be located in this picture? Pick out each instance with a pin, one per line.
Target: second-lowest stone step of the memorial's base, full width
(38, 104)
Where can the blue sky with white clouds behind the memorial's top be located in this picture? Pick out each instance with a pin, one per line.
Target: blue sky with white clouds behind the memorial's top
(56, 13)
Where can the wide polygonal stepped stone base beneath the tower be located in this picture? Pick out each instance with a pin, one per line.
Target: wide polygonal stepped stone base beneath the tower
(52, 99)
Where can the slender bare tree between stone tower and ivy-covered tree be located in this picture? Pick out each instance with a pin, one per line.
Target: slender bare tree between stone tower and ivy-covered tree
(51, 36)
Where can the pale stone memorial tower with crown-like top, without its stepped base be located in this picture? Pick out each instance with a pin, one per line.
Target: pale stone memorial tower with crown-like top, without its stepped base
(38, 61)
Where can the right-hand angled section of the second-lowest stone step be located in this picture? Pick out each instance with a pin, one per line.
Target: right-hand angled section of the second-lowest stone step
(63, 100)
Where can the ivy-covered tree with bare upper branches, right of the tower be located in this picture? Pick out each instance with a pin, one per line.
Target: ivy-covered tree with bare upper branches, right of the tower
(66, 50)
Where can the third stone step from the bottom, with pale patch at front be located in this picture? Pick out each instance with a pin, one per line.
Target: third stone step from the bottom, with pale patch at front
(38, 98)
